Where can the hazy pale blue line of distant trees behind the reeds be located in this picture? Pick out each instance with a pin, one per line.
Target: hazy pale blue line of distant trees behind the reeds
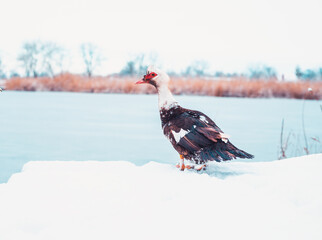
(47, 59)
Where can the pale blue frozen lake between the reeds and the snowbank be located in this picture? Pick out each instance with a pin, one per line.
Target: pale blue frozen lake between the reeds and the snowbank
(47, 126)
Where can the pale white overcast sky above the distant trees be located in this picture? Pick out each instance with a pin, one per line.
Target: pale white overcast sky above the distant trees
(231, 35)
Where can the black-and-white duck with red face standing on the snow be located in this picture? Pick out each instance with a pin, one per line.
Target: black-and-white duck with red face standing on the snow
(193, 134)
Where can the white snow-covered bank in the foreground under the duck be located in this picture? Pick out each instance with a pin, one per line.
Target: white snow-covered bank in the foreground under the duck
(118, 200)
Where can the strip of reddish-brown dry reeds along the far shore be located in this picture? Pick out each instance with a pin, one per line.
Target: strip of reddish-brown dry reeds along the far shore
(237, 87)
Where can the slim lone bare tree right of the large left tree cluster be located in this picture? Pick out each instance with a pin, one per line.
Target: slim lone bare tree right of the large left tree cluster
(91, 56)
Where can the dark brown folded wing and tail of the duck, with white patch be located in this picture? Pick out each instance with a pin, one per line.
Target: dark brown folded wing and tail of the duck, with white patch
(198, 138)
